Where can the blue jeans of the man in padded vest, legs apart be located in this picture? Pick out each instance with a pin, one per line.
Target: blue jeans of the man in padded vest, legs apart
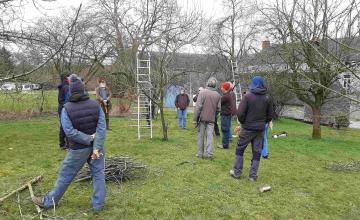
(73, 162)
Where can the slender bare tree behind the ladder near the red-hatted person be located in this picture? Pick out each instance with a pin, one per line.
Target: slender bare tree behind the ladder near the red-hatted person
(232, 36)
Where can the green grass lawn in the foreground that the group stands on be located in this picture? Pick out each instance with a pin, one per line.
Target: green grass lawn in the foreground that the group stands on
(302, 187)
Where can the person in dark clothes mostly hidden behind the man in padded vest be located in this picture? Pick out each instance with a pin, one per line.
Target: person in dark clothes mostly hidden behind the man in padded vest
(63, 98)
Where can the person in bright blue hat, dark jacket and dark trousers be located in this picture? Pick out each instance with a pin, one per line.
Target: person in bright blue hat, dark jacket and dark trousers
(255, 110)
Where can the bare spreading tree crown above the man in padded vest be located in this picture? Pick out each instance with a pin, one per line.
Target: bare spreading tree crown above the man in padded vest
(86, 48)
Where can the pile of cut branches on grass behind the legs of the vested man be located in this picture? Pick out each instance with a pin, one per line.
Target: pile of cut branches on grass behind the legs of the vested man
(117, 169)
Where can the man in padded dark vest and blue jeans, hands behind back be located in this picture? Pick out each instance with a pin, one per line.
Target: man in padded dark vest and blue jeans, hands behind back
(84, 124)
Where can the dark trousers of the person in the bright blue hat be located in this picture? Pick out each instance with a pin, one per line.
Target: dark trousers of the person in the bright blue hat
(256, 139)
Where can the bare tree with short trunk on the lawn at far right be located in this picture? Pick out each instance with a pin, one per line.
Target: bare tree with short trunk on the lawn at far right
(302, 29)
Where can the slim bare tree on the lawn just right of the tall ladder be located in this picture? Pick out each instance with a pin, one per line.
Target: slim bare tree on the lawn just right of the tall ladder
(179, 29)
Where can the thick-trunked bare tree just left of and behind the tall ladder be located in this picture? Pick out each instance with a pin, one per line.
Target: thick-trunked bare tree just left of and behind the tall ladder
(131, 24)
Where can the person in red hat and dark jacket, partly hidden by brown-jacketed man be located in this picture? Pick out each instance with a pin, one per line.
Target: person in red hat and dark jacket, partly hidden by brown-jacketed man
(226, 112)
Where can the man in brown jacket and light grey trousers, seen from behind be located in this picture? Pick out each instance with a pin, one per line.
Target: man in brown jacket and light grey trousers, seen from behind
(208, 102)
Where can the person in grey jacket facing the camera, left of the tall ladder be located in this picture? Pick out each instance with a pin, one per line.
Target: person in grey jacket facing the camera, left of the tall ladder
(103, 95)
